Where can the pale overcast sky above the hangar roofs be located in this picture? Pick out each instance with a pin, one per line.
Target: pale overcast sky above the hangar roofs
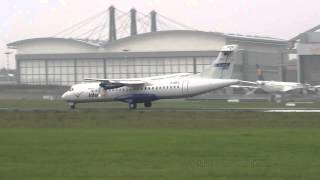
(22, 19)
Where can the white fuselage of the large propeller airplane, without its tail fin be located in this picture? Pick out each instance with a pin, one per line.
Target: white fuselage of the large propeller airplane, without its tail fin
(167, 88)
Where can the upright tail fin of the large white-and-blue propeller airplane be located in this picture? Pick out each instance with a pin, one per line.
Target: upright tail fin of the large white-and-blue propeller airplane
(222, 67)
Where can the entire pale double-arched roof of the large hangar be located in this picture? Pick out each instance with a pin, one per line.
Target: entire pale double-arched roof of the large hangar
(162, 41)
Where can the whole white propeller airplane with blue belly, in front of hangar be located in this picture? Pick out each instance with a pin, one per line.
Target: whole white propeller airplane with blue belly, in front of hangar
(147, 90)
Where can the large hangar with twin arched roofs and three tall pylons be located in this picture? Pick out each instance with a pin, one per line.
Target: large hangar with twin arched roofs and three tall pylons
(66, 61)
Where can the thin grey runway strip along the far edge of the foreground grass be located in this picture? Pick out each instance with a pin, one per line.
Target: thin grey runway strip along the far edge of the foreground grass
(268, 110)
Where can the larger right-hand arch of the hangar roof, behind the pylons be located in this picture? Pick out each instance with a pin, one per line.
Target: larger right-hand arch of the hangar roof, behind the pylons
(179, 40)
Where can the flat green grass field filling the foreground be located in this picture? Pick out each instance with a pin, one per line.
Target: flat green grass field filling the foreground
(157, 145)
